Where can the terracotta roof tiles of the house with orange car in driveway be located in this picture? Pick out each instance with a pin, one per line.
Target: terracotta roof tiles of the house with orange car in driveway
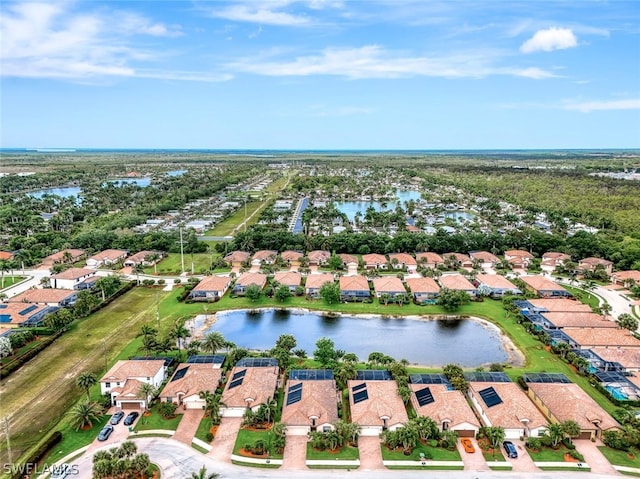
(448, 405)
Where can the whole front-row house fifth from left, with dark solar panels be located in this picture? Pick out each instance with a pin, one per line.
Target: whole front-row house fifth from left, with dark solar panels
(376, 406)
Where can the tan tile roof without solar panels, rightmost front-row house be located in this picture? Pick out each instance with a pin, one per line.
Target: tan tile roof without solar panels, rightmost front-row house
(570, 402)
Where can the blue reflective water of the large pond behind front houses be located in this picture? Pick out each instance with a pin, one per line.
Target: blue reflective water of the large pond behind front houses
(467, 342)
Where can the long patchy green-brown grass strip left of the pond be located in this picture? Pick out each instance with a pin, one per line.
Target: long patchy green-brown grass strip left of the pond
(36, 396)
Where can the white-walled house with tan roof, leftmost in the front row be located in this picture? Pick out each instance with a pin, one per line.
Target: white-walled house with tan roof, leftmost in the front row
(123, 381)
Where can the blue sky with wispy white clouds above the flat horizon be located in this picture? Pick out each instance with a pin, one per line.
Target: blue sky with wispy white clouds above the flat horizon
(320, 74)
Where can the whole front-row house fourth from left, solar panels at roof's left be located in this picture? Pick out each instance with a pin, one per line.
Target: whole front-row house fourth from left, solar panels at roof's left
(310, 405)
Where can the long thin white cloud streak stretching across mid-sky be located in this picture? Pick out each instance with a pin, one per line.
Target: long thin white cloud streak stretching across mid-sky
(372, 61)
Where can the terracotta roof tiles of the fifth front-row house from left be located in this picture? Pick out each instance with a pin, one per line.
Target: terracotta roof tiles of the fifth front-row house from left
(383, 401)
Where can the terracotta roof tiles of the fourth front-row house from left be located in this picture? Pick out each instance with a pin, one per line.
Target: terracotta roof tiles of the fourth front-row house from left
(319, 399)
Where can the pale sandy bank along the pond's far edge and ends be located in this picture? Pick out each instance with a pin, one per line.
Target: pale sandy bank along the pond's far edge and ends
(515, 357)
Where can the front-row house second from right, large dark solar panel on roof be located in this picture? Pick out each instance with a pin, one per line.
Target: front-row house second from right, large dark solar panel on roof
(500, 402)
